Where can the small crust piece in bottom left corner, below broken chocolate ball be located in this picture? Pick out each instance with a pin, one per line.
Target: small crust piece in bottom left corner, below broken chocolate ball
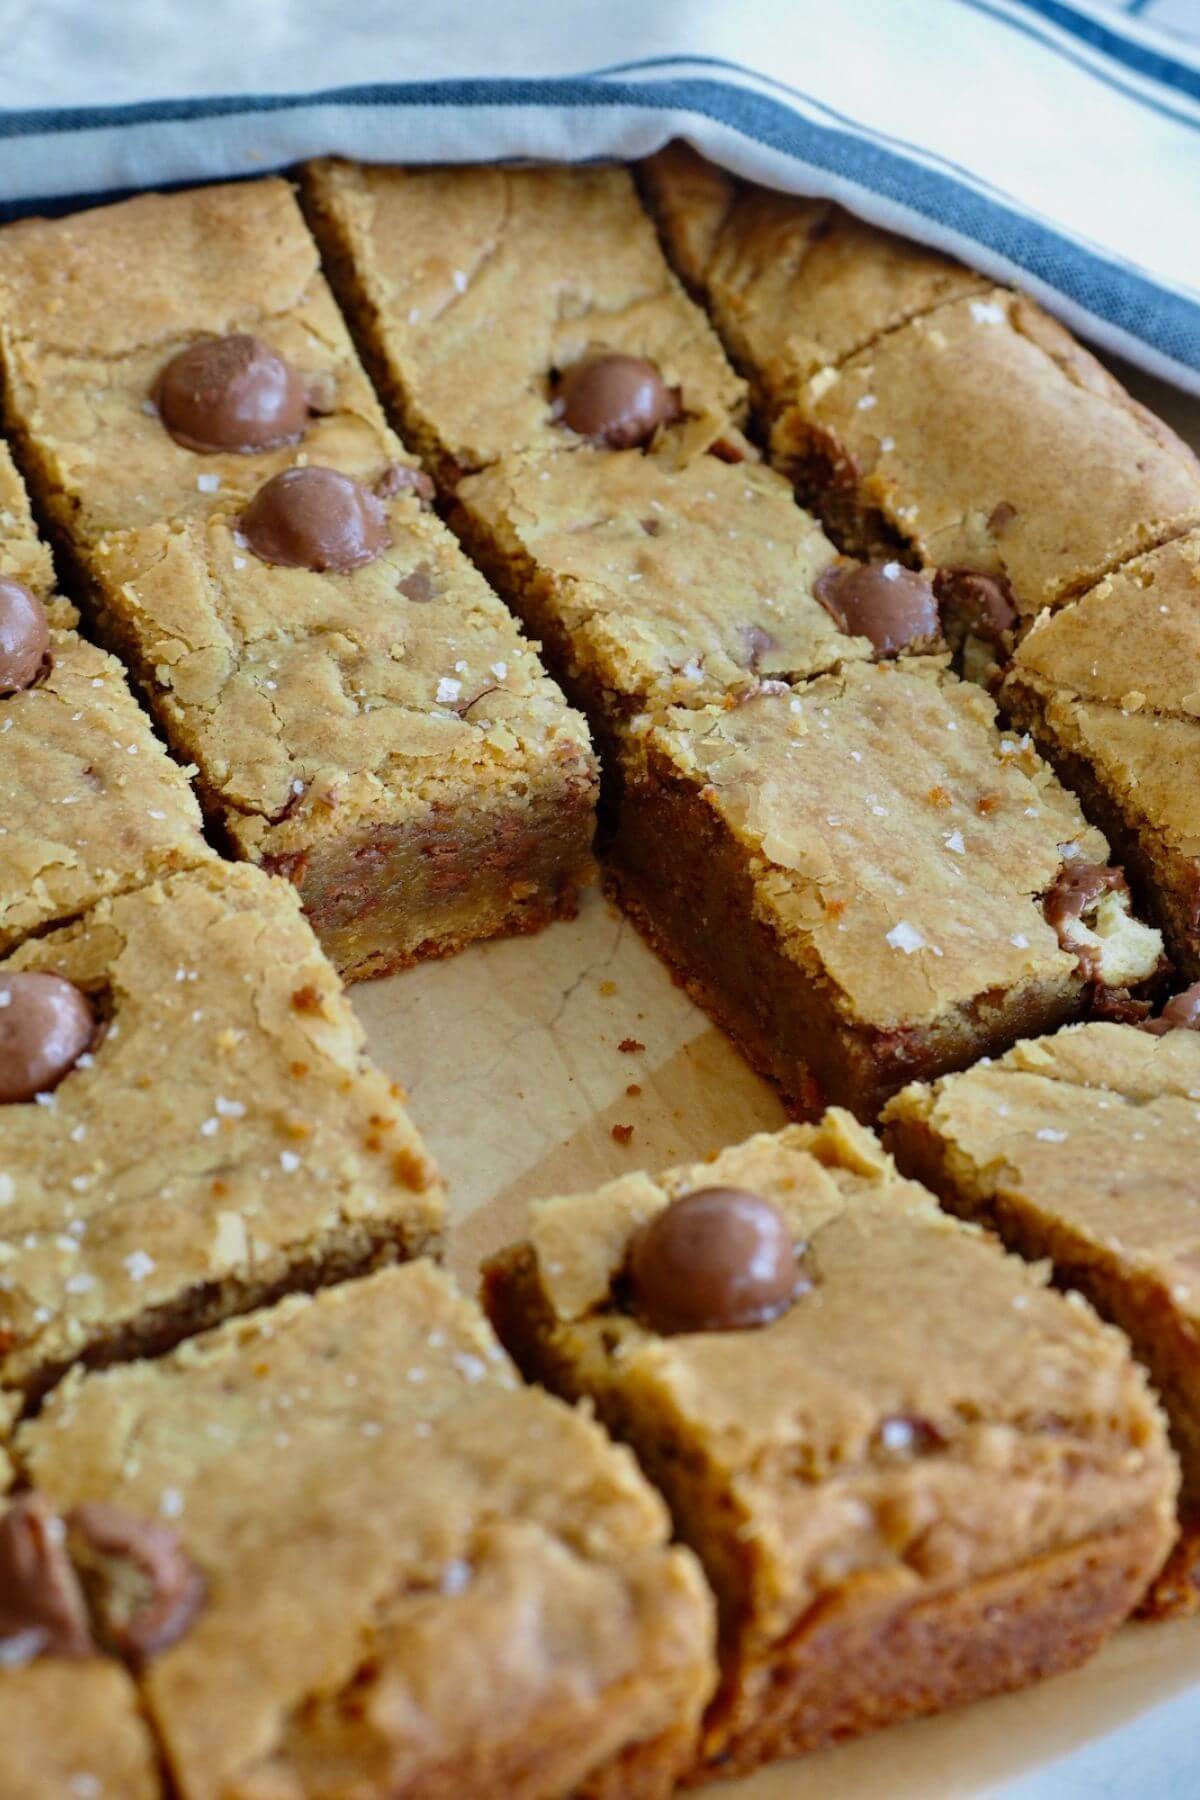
(75, 1729)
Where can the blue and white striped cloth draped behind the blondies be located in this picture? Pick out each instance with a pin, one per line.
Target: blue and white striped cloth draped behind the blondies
(1052, 143)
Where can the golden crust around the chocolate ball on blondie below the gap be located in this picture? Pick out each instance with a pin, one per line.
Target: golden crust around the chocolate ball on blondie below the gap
(1032, 1430)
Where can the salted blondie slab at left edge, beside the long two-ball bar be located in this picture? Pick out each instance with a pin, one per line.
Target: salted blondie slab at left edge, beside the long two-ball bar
(91, 804)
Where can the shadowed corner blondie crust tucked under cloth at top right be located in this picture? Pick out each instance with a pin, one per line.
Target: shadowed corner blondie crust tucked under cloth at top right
(794, 285)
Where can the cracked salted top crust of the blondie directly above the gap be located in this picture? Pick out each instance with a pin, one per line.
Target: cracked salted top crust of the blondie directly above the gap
(314, 703)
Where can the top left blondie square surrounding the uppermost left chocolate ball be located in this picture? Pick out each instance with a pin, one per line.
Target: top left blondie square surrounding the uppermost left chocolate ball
(93, 310)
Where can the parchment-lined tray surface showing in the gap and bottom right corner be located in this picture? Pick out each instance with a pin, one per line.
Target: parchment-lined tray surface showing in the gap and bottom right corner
(514, 1061)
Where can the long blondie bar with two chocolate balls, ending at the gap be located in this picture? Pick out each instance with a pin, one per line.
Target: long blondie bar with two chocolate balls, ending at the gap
(255, 543)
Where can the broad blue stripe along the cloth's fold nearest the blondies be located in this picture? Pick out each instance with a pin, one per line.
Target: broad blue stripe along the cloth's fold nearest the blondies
(1098, 283)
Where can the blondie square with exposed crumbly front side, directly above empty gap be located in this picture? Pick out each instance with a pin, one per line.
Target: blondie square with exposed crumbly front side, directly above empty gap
(384, 737)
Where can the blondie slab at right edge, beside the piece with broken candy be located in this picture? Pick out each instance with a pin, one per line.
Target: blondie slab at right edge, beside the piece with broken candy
(1111, 690)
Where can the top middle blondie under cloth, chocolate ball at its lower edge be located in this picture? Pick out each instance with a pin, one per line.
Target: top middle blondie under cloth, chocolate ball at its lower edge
(476, 289)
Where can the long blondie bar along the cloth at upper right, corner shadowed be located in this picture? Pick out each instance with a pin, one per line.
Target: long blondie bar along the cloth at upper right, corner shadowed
(926, 415)
